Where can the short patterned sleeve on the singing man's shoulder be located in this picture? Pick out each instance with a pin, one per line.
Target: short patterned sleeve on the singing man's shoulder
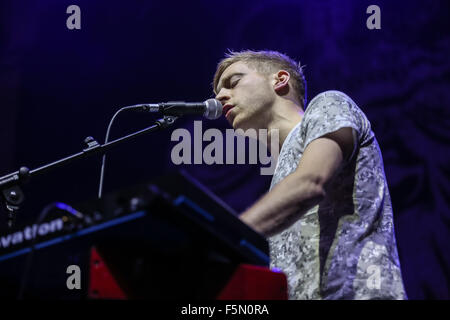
(329, 112)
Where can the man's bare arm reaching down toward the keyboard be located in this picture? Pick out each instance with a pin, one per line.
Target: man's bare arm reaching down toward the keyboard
(305, 187)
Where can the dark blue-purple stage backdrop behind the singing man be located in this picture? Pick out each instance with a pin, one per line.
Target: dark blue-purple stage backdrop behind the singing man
(58, 86)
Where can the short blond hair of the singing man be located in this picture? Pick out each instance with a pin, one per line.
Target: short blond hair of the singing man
(266, 62)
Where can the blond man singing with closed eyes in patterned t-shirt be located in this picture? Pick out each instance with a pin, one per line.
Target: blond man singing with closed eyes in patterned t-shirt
(328, 215)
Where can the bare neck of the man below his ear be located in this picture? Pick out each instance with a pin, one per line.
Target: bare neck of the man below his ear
(285, 116)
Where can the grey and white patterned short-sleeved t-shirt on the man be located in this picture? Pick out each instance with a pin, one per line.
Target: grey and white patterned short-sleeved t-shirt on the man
(344, 247)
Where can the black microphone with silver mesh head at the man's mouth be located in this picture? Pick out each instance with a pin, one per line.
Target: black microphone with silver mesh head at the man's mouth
(210, 109)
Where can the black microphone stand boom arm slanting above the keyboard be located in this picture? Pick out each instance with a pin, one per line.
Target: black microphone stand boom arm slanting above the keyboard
(11, 194)
